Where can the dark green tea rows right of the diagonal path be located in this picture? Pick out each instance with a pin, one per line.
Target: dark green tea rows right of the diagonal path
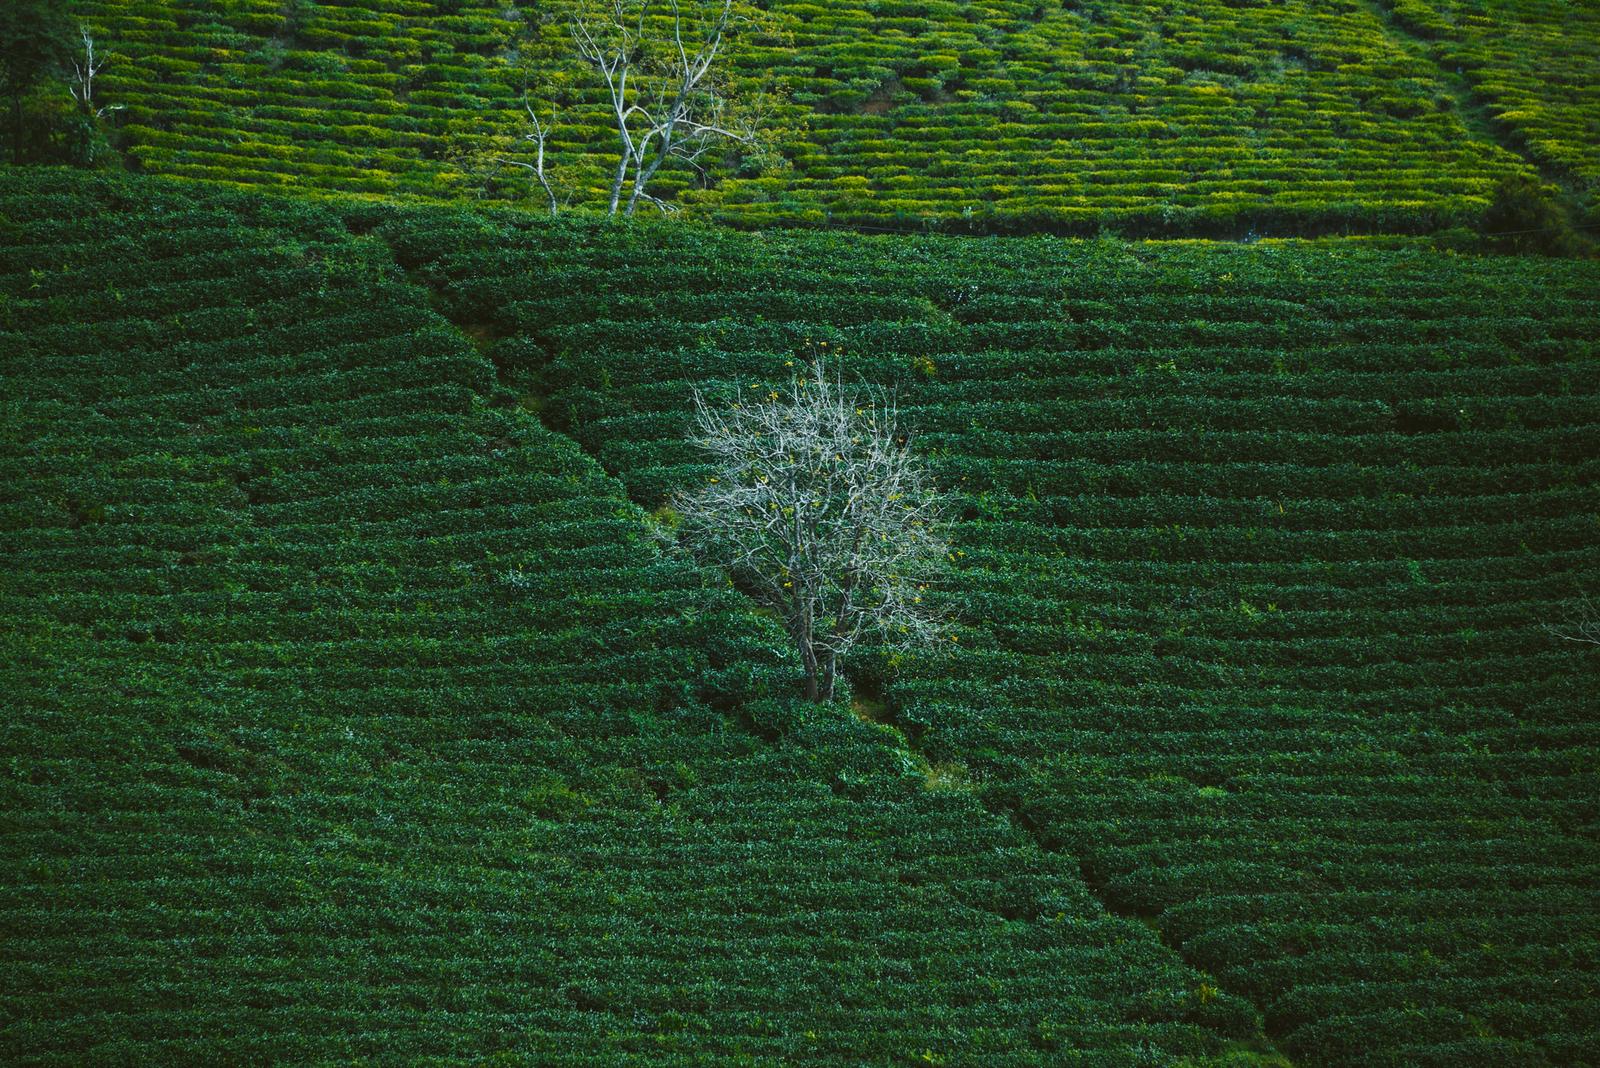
(1258, 551)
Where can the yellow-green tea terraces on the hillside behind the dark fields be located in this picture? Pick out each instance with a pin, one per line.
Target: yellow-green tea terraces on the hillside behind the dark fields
(1191, 118)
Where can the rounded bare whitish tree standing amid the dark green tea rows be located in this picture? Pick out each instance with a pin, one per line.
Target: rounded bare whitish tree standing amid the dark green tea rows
(820, 512)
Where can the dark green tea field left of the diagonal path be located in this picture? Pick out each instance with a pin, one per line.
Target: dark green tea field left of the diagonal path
(351, 715)
